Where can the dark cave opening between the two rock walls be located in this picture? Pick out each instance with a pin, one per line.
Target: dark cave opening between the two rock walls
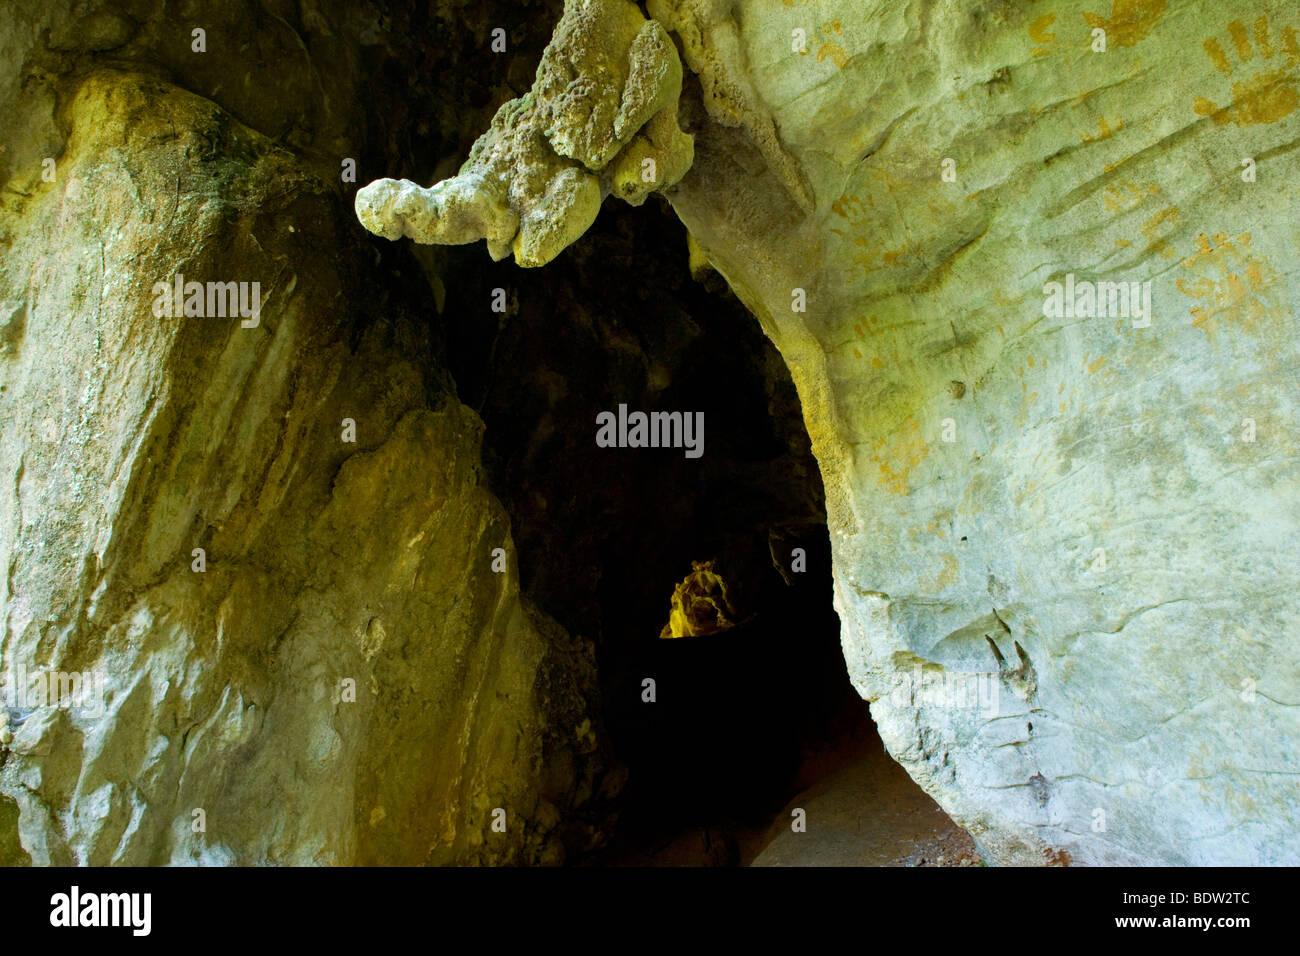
(712, 734)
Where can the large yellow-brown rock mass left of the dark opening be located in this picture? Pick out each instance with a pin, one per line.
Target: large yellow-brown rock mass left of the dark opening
(136, 439)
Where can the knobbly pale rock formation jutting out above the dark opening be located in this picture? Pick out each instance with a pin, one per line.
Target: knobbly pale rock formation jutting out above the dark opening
(601, 119)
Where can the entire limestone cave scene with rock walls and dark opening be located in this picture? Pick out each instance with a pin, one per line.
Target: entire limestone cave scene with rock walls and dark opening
(600, 426)
